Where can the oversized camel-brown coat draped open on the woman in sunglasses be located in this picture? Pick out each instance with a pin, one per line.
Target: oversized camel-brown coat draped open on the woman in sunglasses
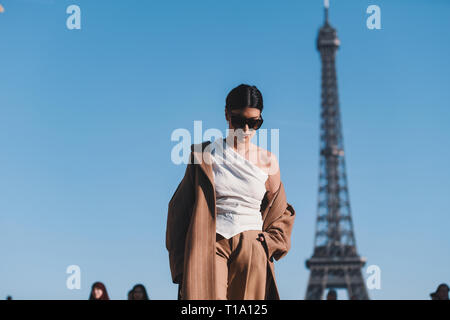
(191, 230)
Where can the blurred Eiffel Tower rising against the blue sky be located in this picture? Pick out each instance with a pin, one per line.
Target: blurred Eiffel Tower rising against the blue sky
(335, 263)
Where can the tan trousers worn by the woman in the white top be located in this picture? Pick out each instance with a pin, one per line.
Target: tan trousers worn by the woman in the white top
(241, 267)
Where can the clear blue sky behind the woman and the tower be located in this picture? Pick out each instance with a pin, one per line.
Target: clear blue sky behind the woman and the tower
(86, 117)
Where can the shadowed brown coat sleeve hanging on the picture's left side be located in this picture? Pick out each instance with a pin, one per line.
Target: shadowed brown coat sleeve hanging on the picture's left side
(178, 219)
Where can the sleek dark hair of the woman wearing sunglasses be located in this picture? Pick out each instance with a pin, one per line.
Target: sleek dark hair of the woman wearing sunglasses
(244, 96)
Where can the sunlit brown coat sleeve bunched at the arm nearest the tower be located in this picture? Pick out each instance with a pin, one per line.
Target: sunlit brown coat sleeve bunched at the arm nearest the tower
(277, 237)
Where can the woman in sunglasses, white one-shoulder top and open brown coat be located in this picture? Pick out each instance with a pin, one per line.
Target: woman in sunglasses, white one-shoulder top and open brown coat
(228, 218)
